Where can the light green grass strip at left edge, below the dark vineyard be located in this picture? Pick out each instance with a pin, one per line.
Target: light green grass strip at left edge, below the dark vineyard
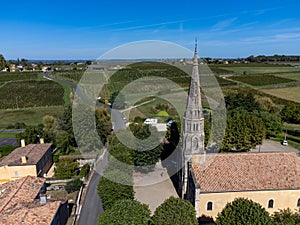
(32, 116)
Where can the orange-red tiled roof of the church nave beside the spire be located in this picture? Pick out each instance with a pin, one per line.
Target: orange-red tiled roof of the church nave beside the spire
(248, 171)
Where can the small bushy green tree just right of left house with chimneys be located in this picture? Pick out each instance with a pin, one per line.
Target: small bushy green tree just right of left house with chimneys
(66, 168)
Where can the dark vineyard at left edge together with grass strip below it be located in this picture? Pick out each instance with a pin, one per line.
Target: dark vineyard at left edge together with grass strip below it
(34, 96)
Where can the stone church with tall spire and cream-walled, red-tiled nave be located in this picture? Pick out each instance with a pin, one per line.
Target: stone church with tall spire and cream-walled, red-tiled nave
(210, 181)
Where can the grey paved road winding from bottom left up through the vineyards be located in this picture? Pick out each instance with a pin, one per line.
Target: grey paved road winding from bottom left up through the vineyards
(92, 206)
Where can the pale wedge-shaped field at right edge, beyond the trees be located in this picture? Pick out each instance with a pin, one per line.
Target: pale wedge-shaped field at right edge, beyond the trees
(289, 93)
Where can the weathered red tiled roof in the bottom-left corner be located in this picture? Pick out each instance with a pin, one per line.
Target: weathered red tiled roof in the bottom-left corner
(19, 206)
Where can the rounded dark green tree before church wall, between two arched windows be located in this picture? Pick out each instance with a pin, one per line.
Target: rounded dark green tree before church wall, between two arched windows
(243, 211)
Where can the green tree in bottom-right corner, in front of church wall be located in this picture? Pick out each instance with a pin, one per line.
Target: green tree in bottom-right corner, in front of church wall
(286, 217)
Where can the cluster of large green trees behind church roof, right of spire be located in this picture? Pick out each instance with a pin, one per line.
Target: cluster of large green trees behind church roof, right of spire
(249, 122)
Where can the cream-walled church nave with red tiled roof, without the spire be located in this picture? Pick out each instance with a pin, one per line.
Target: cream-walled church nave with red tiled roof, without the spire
(271, 179)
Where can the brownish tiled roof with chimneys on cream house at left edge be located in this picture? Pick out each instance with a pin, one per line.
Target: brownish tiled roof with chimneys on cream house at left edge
(33, 152)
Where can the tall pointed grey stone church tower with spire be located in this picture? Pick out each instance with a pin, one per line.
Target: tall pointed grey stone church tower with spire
(193, 124)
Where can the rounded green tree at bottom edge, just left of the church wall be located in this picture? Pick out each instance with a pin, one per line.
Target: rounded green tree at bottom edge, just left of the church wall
(175, 211)
